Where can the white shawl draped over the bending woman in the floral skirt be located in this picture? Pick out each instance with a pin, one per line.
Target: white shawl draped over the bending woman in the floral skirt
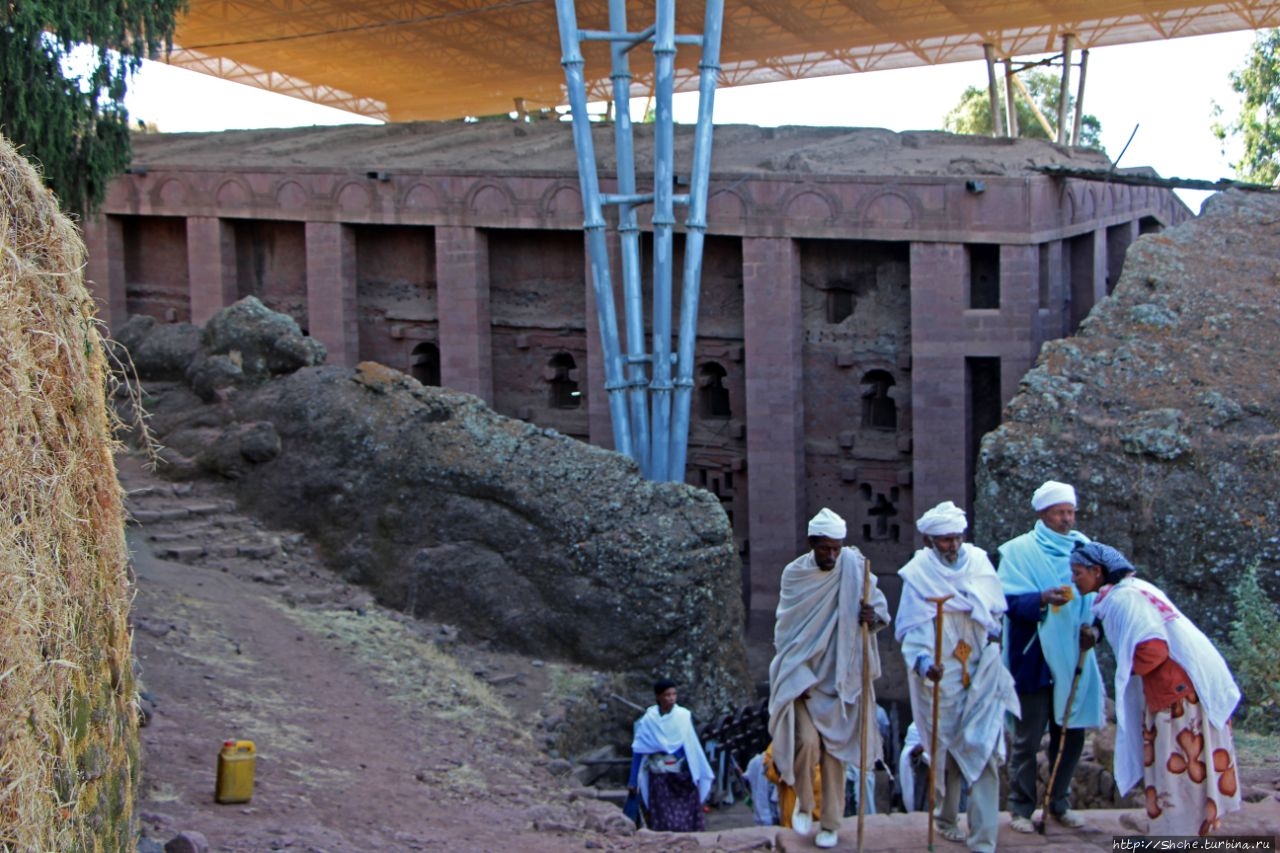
(1135, 612)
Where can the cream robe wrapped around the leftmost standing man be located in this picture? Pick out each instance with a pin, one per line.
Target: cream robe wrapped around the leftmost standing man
(819, 650)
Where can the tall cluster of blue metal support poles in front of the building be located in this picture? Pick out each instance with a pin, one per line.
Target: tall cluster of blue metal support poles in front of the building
(660, 448)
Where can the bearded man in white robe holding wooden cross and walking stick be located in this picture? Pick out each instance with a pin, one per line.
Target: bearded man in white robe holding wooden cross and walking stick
(975, 688)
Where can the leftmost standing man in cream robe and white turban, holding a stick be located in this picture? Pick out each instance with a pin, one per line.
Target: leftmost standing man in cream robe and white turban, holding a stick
(816, 679)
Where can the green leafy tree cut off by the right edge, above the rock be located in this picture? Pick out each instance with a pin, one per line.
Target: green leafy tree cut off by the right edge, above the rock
(1259, 124)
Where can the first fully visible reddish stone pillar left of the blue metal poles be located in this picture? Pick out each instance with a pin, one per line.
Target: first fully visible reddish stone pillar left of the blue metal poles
(463, 288)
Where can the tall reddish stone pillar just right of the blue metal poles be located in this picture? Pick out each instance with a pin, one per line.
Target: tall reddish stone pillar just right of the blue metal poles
(775, 412)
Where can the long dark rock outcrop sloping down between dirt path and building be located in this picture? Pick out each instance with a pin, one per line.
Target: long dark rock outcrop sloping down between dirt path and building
(520, 536)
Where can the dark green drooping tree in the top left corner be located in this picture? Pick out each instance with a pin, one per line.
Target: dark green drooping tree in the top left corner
(65, 69)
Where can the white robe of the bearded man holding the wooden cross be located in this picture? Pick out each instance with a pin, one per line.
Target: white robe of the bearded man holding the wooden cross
(971, 720)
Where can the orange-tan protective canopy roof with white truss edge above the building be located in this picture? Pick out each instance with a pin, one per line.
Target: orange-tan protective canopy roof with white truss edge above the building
(440, 60)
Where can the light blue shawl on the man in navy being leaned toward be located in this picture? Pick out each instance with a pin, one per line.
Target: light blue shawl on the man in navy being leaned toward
(1034, 563)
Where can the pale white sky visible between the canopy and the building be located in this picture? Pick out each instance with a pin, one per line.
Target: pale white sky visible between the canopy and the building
(1167, 89)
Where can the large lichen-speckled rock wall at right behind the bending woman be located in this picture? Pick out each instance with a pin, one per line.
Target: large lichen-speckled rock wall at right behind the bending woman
(1164, 412)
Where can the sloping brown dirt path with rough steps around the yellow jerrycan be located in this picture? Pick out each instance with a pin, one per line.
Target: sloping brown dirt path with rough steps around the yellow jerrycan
(369, 738)
